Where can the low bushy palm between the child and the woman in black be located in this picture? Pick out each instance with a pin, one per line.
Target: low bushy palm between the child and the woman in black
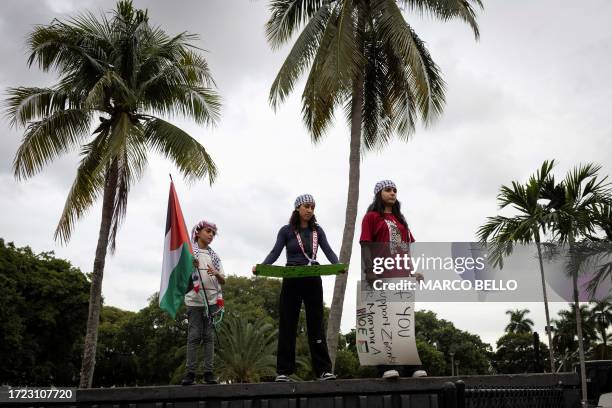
(247, 350)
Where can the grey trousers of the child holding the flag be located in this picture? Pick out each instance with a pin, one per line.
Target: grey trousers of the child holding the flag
(200, 329)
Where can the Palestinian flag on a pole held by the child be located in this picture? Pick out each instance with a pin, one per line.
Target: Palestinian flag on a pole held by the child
(178, 258)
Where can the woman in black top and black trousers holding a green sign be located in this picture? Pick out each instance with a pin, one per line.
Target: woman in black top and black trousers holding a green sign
(302, 237)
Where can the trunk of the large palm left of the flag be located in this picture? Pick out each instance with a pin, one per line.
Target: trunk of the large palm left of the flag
(95, 292)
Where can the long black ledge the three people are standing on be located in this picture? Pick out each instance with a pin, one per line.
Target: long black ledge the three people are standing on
(529, 390)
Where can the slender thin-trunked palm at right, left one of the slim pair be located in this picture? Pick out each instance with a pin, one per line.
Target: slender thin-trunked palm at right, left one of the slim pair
(500, 233)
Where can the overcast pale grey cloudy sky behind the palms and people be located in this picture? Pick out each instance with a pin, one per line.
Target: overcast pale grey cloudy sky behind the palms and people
(535, 87)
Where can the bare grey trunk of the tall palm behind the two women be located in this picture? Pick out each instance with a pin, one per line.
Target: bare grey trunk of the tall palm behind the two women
(335, 314)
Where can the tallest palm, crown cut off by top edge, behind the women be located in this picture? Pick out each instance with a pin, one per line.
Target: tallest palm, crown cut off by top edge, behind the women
(363, 56)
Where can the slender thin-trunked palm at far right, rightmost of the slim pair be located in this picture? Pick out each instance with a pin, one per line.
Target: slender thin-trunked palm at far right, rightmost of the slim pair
(574, 201)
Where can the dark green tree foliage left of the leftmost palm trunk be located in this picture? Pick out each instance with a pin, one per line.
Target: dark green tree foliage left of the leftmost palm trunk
(43, 309)
